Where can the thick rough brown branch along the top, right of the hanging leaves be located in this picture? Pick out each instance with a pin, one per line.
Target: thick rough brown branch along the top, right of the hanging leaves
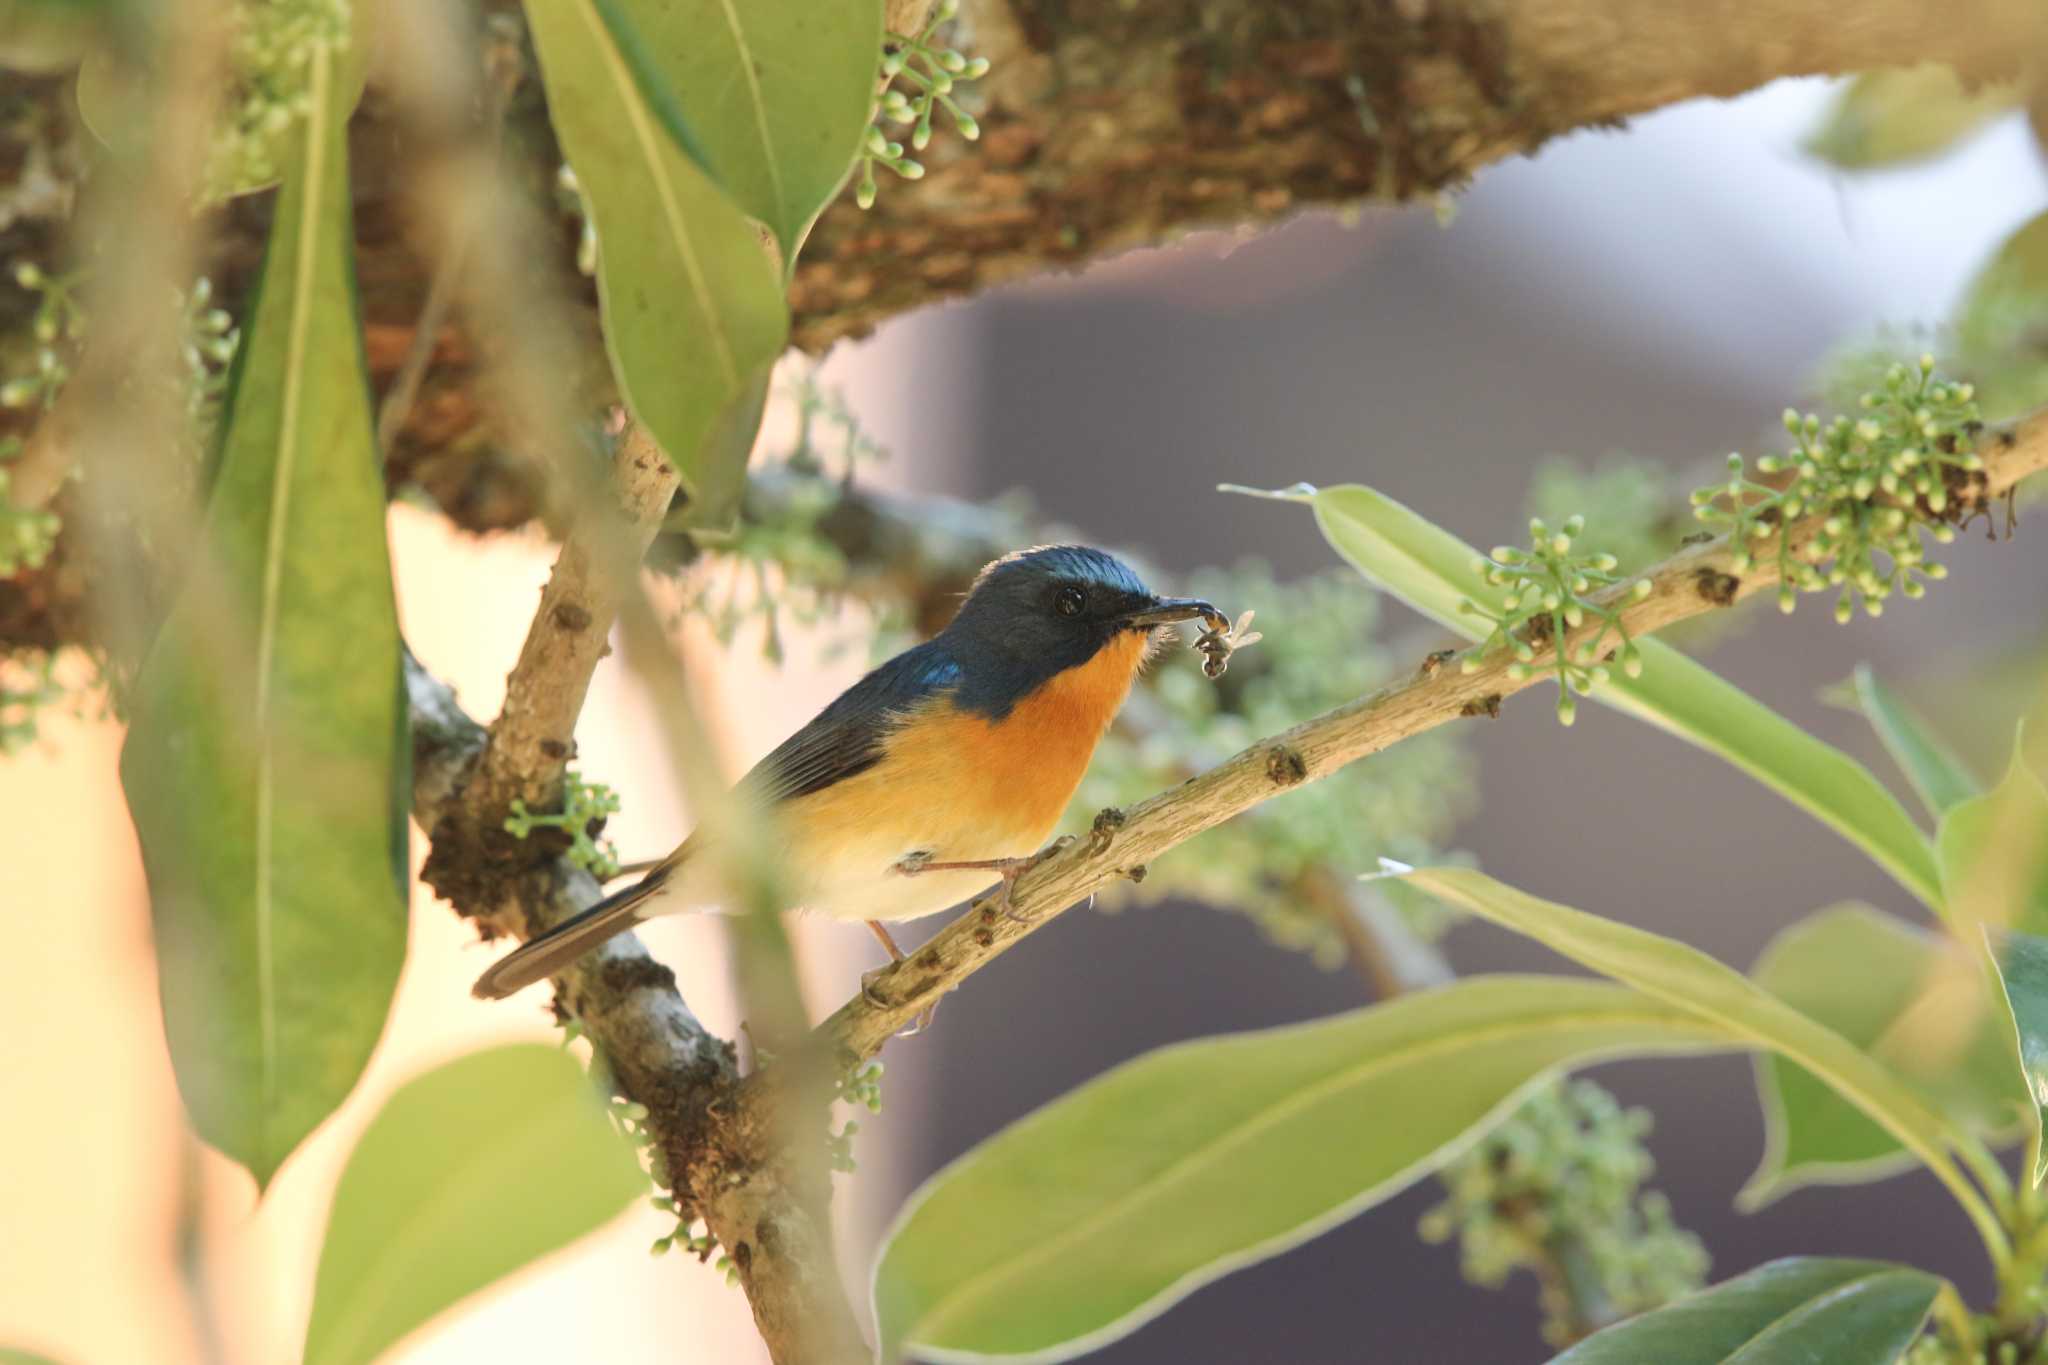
(1111, 126)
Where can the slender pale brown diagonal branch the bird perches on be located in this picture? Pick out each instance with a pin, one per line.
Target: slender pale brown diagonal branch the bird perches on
(1689, 584)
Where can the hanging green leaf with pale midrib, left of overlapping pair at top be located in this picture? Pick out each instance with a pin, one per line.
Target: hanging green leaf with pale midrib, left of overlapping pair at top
(691, 300)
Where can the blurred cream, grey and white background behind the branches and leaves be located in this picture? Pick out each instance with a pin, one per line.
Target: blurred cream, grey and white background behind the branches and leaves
(1656, 294)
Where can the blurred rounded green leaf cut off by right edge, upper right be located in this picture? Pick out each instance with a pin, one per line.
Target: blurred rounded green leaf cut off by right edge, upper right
(2002, 324)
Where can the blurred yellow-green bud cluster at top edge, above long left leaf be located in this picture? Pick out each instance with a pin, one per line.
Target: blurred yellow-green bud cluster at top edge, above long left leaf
(269, 87)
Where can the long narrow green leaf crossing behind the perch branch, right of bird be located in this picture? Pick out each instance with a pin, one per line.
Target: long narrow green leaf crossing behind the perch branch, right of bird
(1433, 572)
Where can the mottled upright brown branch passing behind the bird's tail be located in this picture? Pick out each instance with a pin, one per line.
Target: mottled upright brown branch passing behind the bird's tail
(728, 1165)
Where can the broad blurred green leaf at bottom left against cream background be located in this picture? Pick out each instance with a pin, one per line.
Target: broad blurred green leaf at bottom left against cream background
(466, 1176)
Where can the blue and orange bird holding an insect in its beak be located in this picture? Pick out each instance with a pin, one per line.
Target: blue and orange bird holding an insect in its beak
(937, 775)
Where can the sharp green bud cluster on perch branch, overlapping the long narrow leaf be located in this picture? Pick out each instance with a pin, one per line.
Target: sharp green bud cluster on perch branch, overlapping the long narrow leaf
(1551, 592)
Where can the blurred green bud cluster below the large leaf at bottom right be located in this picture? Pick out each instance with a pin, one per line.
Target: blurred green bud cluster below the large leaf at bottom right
(1558, 1190)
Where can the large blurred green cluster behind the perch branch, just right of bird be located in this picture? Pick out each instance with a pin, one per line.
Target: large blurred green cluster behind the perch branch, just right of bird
(1320, 652)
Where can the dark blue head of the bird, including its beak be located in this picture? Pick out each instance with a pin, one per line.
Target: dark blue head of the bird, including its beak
(1041, 613)
